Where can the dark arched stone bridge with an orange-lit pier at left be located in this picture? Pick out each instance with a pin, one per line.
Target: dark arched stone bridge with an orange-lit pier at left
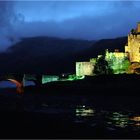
(20, 79)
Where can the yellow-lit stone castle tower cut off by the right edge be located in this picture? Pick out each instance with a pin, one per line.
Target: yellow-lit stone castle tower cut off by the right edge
(133, 46)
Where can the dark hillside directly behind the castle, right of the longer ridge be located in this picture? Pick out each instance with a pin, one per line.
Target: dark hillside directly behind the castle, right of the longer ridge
(100, 46)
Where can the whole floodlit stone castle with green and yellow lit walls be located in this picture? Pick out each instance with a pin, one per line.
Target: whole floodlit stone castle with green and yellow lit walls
(115, 62)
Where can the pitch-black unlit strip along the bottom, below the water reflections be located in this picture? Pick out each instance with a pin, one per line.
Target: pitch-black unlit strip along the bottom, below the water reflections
(37, 125)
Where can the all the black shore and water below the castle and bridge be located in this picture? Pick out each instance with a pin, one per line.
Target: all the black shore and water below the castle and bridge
(89, 109)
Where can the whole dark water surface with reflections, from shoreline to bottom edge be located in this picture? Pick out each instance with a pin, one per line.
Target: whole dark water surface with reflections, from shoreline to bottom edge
(36, 116)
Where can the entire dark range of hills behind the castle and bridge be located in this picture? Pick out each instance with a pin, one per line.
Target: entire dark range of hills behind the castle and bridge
(53, 55)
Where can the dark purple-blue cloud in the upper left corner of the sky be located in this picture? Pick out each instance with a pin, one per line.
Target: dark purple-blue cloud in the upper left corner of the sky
(7, 19)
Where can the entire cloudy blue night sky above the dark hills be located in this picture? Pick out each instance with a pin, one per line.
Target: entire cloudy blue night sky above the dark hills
(90, 20)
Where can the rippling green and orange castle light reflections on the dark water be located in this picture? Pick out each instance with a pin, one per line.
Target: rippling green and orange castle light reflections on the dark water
(93, 117)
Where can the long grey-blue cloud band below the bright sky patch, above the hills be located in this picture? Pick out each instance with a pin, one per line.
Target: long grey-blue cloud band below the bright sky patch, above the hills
(114, 23)
